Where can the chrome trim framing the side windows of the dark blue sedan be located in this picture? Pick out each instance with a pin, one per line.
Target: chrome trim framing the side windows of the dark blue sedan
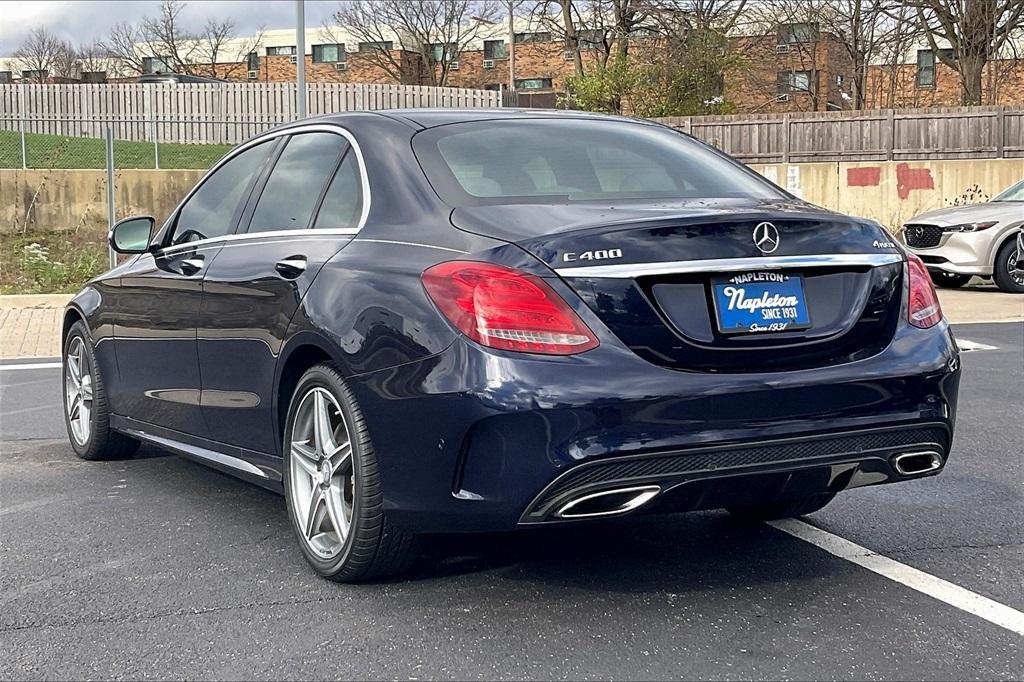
(312, 127)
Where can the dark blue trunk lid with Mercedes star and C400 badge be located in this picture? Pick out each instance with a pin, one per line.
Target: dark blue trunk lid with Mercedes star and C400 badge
(660, 276)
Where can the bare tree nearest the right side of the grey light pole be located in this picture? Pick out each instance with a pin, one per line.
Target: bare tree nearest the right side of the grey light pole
(438, 30)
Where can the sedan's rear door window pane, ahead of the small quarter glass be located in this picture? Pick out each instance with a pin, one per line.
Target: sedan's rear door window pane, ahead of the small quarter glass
(295, 185)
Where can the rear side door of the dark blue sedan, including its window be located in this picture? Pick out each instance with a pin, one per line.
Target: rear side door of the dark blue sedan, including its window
(308, 209)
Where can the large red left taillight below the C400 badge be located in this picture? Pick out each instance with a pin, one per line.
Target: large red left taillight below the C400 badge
(504, 309)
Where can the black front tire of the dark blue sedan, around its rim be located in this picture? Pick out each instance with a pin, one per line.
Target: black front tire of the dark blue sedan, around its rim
(102, 443)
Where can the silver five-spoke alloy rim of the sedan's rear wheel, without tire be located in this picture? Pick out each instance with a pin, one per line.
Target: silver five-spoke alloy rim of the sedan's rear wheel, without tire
(323, 479)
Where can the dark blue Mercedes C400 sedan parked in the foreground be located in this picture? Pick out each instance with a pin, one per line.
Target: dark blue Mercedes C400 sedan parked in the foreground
(419, 322)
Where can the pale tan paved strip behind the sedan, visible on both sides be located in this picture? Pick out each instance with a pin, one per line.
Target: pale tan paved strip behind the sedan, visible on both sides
(30, 326)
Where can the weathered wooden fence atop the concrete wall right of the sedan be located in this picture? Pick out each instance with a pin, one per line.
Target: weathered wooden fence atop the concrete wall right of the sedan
(966, 133)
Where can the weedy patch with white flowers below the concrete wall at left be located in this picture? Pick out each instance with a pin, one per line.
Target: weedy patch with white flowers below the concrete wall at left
(50, 263)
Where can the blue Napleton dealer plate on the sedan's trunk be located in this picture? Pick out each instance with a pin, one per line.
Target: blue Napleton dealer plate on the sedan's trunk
(760, 303)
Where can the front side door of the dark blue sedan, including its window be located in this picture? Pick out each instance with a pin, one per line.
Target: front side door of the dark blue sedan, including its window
(159, 300)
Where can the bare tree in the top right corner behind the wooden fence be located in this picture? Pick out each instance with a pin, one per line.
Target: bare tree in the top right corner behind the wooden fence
(976, 30)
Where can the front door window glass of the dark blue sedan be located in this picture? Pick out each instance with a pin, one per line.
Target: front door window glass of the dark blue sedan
(210, 212)
